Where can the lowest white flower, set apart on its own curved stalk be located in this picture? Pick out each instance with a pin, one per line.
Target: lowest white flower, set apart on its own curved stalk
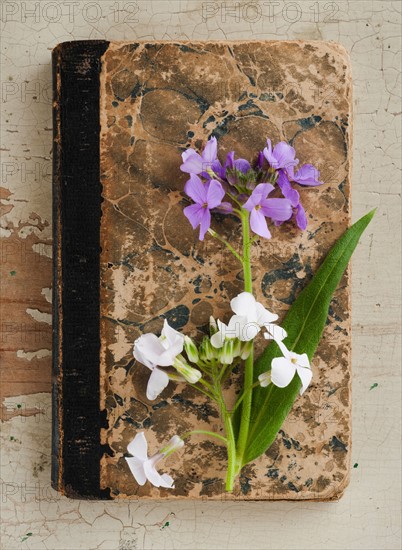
(144, 468)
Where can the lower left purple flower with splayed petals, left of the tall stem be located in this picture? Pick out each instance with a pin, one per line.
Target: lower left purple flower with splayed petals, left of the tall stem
(206, 197)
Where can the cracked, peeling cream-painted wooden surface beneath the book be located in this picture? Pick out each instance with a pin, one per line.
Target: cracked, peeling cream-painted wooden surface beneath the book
(367, 516)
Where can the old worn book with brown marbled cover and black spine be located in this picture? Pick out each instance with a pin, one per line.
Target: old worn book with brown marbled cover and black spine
(125, 257)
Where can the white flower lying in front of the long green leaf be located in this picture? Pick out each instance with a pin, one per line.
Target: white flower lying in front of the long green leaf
(284, 368)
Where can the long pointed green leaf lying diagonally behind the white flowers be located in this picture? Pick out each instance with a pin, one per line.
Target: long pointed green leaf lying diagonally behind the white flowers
(304, 324)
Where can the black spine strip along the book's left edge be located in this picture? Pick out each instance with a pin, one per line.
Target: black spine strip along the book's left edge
(77, 199)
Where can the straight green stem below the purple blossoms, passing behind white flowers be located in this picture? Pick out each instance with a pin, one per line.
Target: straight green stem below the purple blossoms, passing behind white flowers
(248, 367)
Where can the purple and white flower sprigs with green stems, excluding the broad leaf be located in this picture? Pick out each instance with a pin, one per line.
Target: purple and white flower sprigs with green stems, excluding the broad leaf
(256, 195)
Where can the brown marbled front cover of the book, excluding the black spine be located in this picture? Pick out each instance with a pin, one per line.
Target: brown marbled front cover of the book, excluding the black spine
(157, 99)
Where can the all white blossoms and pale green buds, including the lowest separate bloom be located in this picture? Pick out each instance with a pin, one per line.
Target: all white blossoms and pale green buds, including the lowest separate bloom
(226, 344)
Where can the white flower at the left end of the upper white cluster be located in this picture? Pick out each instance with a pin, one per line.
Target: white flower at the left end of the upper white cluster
(152, 352)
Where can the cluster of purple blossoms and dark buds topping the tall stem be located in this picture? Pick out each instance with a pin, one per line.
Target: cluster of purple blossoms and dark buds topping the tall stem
(247, 186)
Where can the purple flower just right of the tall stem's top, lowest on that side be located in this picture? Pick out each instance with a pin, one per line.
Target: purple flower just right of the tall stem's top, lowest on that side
(260, 206)
